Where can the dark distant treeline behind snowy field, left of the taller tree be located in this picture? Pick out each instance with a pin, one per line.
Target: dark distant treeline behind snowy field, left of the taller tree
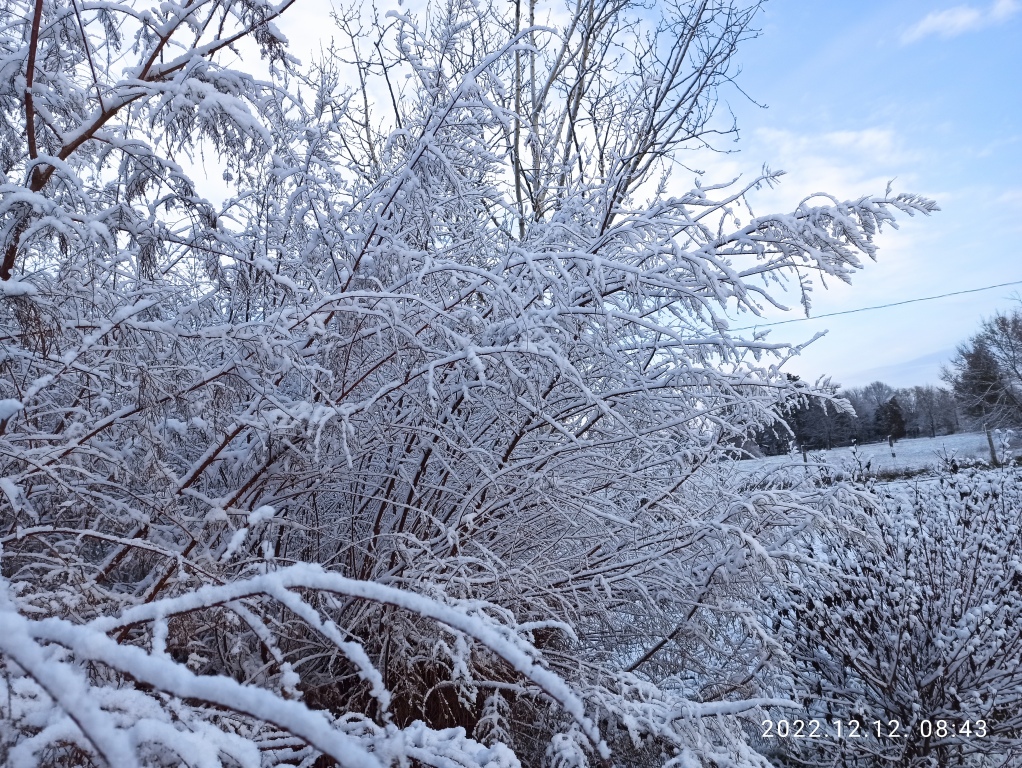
(880, 412)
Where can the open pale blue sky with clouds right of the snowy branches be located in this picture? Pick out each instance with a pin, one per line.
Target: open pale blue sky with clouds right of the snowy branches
(925, 94)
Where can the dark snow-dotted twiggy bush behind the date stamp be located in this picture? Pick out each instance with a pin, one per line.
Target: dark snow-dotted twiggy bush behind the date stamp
(920, 624)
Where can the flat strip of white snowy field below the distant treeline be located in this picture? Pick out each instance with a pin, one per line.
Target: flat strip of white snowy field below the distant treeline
(909, 456)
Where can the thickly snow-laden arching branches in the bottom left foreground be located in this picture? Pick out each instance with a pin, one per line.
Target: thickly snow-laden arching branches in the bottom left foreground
(74, 694)
